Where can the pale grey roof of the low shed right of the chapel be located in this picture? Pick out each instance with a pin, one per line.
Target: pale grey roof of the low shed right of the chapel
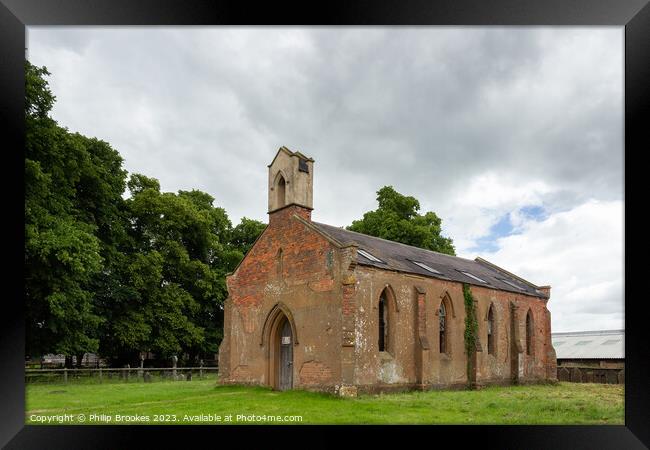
(605, 344)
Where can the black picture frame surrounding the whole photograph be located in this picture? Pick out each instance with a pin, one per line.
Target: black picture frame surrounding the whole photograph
(16, 15)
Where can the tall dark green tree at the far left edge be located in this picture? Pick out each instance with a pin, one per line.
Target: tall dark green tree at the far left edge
(72, 193)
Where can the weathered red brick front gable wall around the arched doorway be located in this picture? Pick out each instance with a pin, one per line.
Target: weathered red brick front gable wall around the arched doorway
(308, 285)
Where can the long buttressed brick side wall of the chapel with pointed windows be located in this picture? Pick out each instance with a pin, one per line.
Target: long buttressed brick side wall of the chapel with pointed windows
(419, 313)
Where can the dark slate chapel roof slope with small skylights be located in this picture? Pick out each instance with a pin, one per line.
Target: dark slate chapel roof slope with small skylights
(400, 257)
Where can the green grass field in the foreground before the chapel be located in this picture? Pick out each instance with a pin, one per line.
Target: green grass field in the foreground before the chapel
(186, 402)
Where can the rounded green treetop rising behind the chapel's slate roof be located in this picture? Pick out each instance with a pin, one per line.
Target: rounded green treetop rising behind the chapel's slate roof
(397, 219)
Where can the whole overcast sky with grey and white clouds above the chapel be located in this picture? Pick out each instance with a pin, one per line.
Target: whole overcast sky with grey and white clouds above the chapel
(513, 136)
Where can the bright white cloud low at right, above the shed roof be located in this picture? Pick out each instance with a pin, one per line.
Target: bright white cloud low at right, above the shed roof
(580, 254)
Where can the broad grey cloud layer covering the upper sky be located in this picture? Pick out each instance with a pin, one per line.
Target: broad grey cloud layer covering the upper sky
(403, 106)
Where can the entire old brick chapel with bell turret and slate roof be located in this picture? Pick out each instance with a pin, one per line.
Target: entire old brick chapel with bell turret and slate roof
(314, 306)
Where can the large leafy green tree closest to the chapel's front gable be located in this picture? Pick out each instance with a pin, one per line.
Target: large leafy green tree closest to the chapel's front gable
(175, 274)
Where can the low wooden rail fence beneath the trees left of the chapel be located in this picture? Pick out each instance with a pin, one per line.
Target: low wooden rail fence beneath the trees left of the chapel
(123, 375)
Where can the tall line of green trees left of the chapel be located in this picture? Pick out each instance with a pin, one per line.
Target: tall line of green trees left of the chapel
(113, 273)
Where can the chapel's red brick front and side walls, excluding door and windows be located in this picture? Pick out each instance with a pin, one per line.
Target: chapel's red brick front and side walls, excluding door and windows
(334, 307)
